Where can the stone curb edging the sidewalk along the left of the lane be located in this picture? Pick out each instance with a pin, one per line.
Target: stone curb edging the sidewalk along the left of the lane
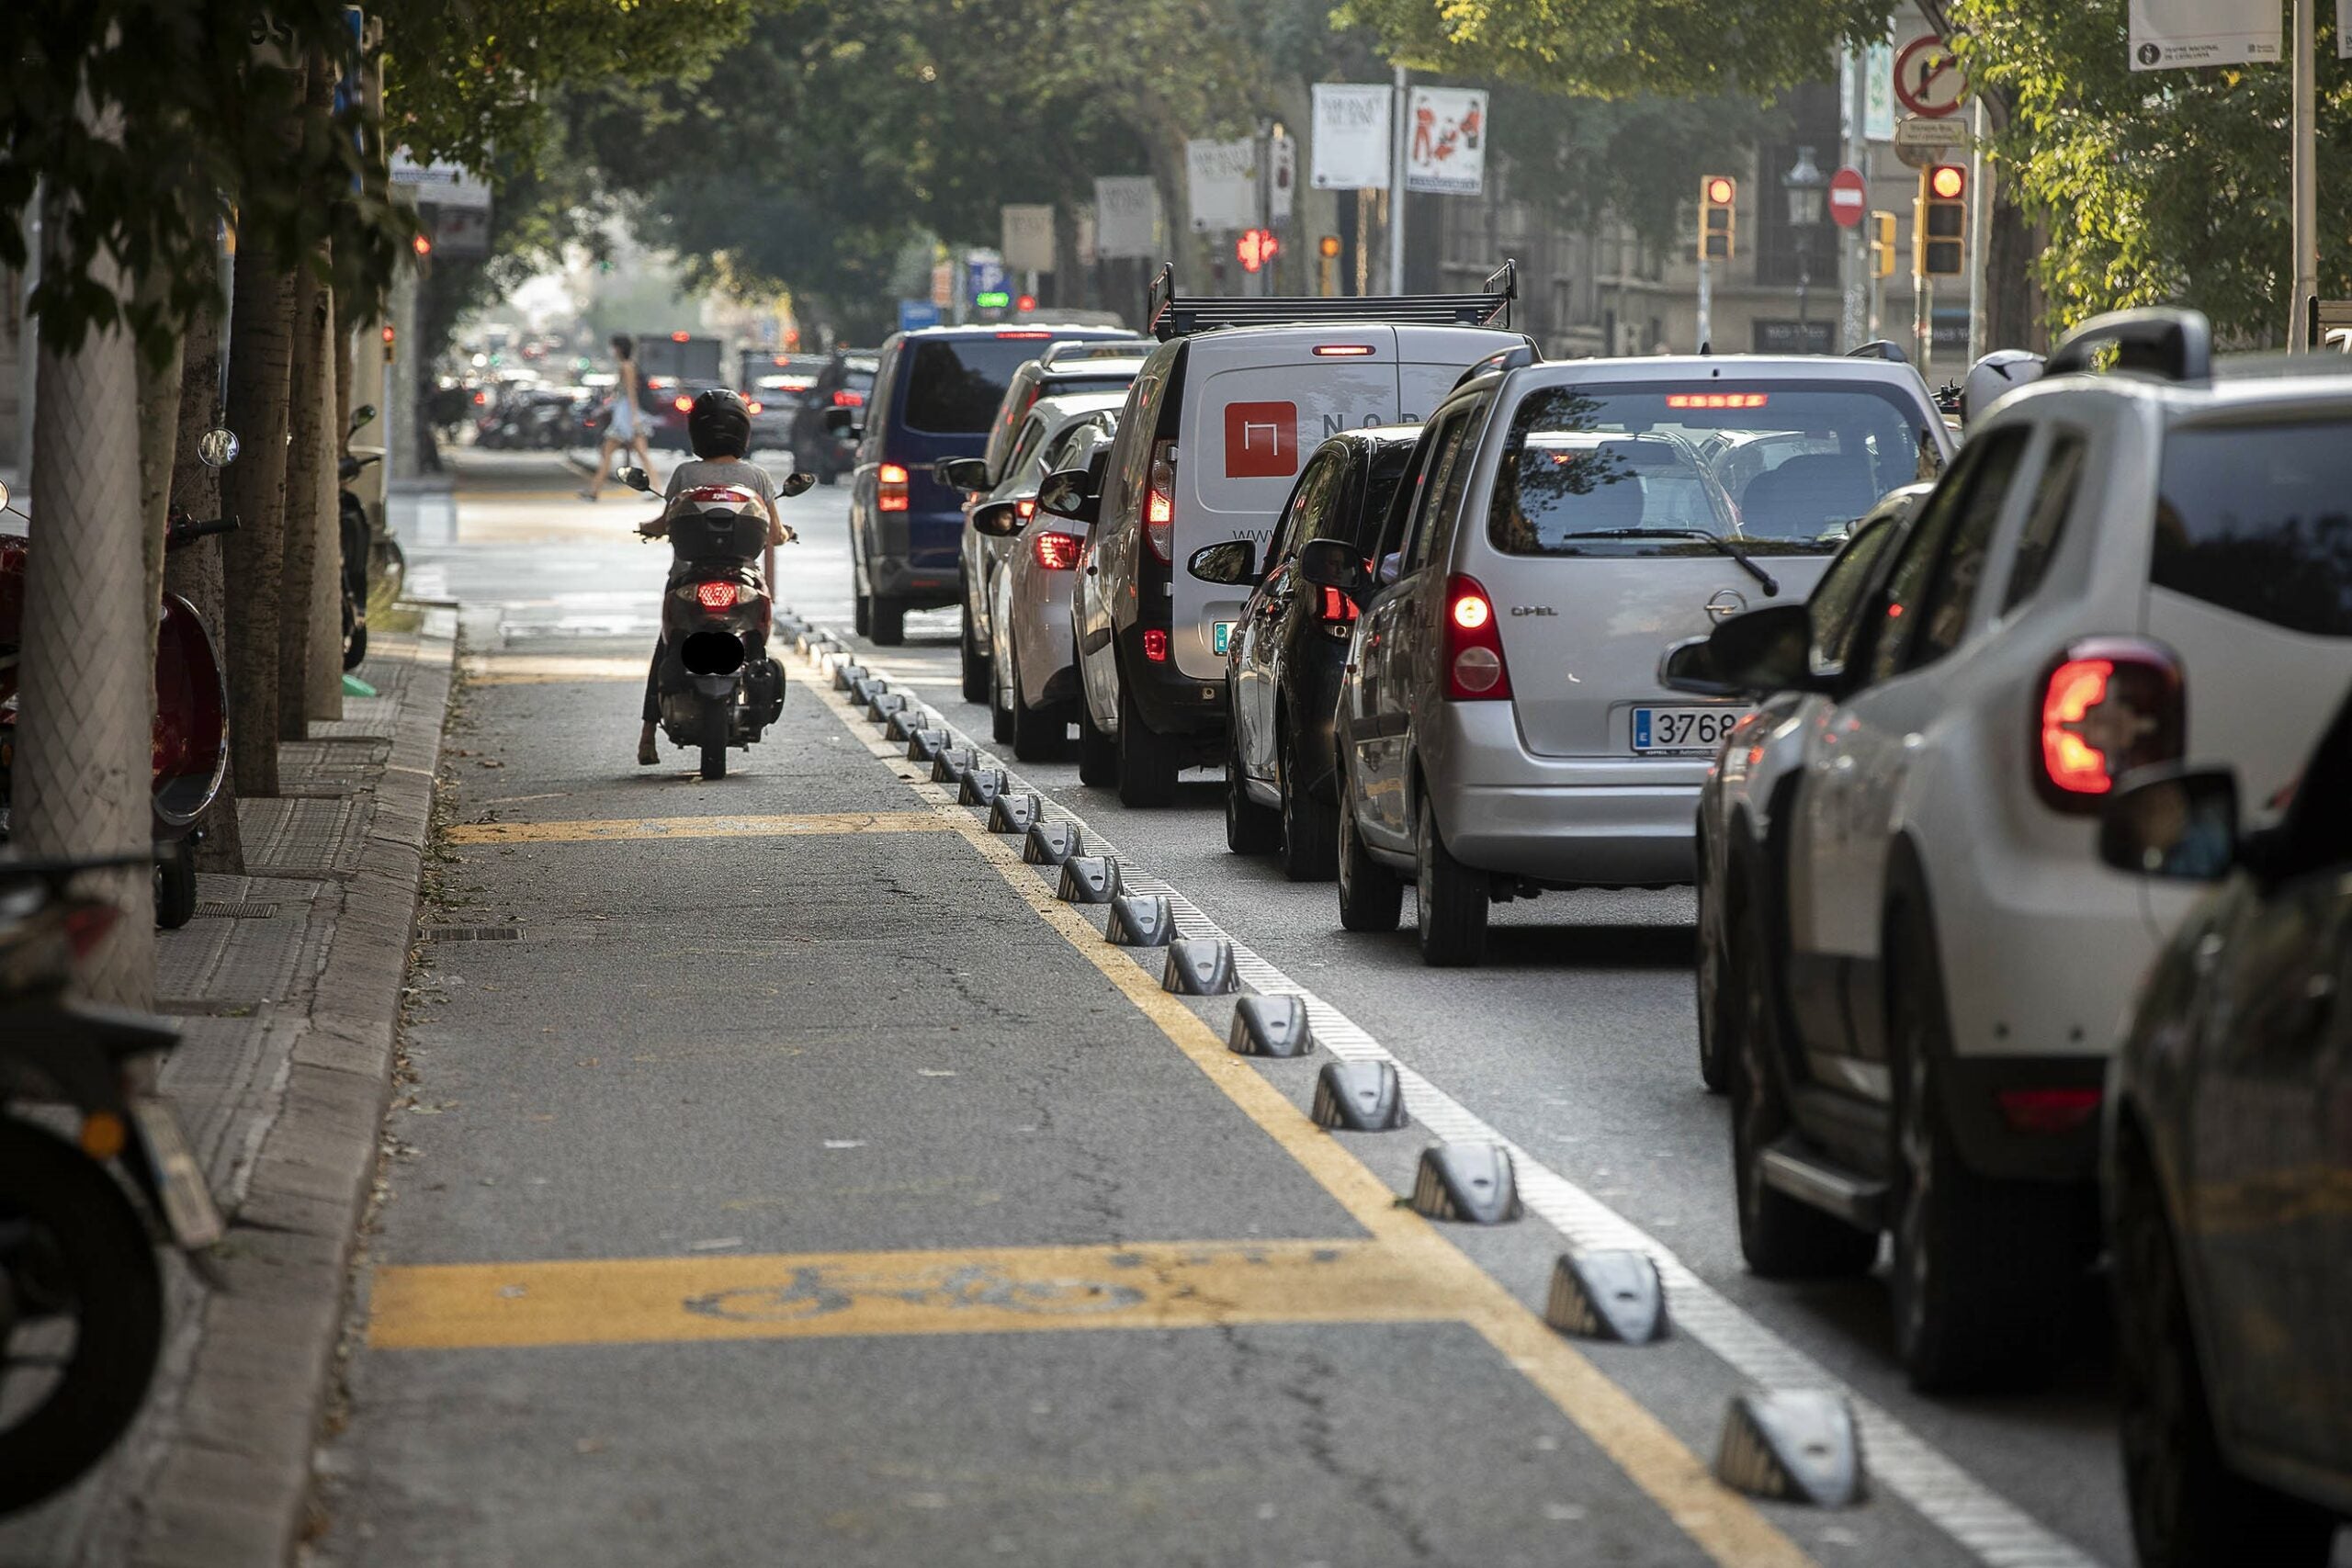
(236, 1485)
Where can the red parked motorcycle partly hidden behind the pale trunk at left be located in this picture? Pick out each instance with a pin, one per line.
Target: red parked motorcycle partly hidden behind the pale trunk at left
(189, 739)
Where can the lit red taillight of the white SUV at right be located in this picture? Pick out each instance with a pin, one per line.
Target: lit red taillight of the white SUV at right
(2106, 706)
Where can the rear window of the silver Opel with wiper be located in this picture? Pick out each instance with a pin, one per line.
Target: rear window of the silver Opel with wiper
(1786, 467)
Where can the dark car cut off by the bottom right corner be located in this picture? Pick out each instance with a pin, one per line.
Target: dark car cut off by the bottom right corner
(2231, 1172)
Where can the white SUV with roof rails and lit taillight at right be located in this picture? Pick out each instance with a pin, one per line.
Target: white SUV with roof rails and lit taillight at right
(1930, 958)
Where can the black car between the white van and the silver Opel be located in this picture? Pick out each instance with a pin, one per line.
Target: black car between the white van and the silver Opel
(1290, 645)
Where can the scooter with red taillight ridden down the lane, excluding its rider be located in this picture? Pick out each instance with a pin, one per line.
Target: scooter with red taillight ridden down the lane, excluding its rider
(716, 685)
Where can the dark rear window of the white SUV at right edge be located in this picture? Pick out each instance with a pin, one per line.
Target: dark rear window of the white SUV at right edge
(2259, 521)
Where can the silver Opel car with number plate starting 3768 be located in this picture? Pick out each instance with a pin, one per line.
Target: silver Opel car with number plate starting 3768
(1502, 728)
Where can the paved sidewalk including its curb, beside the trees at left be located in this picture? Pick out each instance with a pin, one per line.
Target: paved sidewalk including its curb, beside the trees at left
(288, 989)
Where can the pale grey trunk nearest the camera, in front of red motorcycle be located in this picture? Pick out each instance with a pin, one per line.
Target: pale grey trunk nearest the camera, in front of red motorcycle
(83, 751)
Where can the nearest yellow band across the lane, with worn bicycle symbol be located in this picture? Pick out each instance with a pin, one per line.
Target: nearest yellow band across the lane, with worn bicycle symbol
(657, 1301)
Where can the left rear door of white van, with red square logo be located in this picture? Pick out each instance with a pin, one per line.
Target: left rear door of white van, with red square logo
(1257, 403)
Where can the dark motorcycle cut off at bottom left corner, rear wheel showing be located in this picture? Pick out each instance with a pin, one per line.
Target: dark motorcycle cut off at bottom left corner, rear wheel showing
(81, 1292)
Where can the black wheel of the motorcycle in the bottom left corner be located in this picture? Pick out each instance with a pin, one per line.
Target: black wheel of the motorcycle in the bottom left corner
(72, 1247)
